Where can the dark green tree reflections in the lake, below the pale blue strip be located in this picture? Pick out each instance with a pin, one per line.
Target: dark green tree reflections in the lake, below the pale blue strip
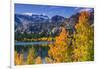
(39, 50)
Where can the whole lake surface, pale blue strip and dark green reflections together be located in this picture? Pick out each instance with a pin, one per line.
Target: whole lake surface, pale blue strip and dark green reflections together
(40, 49)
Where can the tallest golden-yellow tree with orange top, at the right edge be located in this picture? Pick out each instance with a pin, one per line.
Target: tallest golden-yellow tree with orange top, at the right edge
(83, 39)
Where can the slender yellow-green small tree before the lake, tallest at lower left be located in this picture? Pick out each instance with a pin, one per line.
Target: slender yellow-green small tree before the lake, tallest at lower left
(31, 56)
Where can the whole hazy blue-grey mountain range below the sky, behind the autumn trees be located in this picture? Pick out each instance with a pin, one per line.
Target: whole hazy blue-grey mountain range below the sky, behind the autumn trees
(38, 24)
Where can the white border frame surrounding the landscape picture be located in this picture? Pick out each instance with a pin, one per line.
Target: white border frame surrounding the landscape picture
(44, 66)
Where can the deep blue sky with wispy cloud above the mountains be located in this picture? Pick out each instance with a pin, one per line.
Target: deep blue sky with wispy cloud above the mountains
(48, 10)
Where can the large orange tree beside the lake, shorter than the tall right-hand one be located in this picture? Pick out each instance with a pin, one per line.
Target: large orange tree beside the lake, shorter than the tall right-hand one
(59, 50)
